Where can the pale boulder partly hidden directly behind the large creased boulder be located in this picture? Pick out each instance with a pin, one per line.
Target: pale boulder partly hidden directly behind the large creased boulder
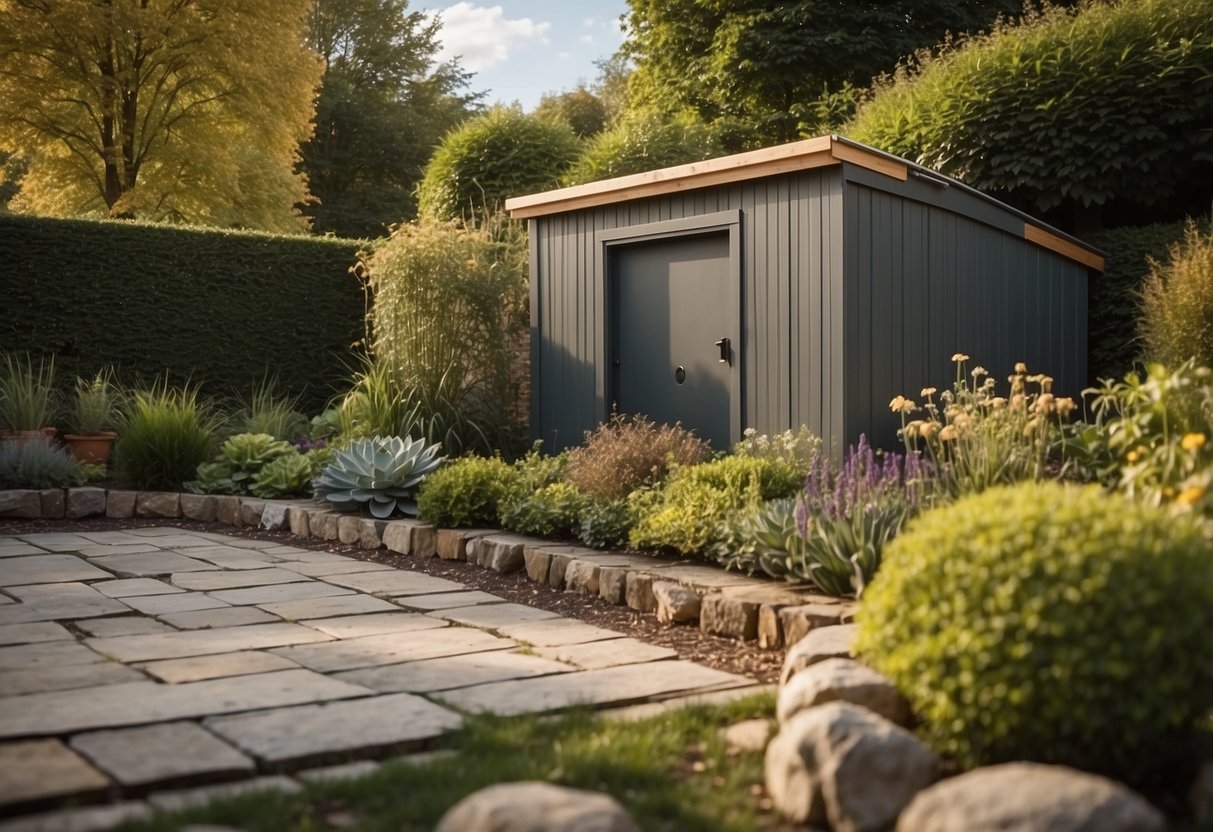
(842, 681)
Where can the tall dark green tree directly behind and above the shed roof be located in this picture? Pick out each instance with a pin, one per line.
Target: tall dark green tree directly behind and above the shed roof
(759, 69)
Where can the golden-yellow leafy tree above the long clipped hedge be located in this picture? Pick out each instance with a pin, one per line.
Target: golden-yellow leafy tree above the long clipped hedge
(186, 111)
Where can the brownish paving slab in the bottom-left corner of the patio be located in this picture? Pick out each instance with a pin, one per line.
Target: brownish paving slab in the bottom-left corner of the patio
(42, 770)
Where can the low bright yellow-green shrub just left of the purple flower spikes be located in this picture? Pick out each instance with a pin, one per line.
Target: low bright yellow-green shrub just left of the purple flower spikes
(687, 515)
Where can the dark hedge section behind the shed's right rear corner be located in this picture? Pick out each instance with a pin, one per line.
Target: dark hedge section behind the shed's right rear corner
(1115, 298)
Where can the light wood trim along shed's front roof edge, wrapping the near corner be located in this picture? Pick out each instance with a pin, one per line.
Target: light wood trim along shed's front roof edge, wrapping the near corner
(790, 158)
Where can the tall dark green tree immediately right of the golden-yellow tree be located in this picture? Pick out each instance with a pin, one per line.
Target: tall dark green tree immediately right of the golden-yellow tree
(384, 107)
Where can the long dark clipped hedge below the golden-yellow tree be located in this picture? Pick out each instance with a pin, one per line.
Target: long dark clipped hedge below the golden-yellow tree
(218, 307)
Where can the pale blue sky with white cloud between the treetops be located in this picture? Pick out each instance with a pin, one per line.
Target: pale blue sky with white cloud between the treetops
(522, 49)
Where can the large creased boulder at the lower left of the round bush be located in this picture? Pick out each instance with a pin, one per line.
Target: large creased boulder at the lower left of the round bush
(845, 767)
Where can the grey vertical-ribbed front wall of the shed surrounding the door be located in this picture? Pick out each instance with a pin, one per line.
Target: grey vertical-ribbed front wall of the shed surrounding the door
(791, 272)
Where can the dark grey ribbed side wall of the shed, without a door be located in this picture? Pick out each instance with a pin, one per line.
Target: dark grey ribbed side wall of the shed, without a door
(925, 283)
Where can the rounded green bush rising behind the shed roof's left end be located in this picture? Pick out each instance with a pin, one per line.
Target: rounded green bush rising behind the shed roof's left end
(492, 157)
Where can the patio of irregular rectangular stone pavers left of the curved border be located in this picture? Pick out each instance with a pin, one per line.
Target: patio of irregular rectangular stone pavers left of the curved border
(156, 668)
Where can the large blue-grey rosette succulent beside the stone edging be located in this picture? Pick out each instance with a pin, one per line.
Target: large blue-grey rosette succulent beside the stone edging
(380, 474)
